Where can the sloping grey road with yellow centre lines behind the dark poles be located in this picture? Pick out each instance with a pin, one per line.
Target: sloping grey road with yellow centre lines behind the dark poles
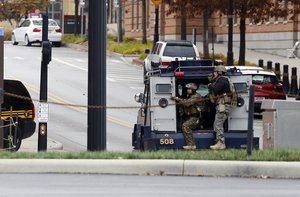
(67, 85)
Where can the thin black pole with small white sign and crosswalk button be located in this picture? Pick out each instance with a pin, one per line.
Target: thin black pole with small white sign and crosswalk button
(43, 105)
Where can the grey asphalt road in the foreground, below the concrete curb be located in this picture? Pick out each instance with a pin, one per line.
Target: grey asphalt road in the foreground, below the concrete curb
(49, 185)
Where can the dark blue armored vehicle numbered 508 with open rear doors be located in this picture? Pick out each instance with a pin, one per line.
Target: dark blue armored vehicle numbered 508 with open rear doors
(159, 119)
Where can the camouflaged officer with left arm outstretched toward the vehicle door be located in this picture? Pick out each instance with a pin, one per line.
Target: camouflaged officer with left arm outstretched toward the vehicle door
(191, 111)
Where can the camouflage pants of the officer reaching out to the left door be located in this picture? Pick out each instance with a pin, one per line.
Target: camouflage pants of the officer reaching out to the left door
(187, 127)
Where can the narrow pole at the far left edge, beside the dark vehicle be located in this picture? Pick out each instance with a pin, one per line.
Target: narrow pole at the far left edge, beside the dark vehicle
(1, 82)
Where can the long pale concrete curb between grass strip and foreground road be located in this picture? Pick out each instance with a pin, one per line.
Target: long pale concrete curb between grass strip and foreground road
(289, 170)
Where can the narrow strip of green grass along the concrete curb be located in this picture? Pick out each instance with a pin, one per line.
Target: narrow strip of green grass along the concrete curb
(229, 154)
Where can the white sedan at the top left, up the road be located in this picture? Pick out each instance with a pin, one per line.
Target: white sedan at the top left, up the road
(30, 31)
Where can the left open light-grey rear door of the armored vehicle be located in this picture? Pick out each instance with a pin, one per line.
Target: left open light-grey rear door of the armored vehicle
(163, 109)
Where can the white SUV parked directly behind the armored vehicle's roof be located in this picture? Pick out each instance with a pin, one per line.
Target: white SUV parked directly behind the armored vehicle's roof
(166, 51)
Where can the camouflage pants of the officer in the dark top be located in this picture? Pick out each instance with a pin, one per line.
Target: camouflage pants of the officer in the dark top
(220, 119)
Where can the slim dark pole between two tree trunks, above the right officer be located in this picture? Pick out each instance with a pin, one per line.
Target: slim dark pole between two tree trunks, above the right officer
(230, 33)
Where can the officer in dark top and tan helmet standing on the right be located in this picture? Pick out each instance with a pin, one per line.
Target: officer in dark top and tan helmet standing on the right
(220, 88)
